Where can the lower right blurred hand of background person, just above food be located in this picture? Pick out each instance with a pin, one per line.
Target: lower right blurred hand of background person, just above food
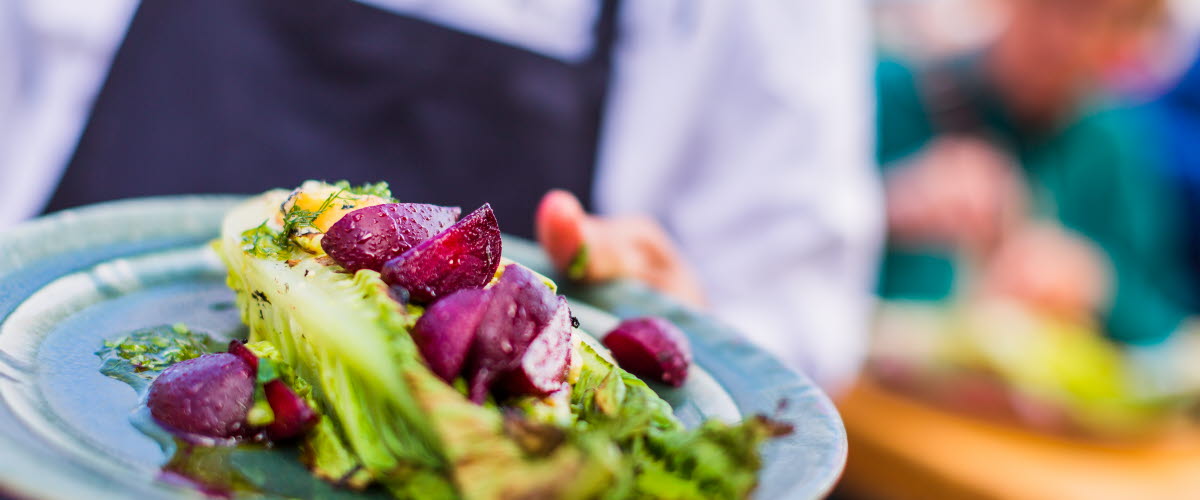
(1051, 270)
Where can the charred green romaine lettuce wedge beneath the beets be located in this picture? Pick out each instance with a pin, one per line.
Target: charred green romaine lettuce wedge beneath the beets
(389, 420)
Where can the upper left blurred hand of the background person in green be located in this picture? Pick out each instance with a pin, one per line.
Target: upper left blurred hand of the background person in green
(959, 192)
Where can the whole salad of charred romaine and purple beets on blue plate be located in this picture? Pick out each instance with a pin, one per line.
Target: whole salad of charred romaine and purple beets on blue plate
(397, 351)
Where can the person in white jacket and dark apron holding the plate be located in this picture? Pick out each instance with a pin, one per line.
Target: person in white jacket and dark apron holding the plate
(737, 130)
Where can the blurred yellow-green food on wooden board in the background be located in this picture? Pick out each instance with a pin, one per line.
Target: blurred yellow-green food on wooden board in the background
(1000, 362)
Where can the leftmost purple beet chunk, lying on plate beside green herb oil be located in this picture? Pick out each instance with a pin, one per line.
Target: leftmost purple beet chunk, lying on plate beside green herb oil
(207, 396)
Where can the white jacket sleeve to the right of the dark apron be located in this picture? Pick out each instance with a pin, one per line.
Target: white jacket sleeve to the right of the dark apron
(746, 128)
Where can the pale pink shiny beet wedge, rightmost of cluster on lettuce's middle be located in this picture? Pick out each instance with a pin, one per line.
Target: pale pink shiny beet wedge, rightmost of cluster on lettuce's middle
(543, 370)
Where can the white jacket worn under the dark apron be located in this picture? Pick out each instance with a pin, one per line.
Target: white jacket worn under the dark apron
(743, 126)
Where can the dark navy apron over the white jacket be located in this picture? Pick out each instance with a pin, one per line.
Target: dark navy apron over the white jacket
(238, 97)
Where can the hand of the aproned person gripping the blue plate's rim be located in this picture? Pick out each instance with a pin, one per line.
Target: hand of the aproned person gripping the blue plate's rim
(595, 249)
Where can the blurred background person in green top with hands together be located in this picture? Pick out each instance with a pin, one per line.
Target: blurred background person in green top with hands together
(1010, 161)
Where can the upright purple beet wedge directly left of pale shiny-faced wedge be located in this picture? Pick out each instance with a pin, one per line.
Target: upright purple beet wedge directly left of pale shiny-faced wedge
(520, 308)
